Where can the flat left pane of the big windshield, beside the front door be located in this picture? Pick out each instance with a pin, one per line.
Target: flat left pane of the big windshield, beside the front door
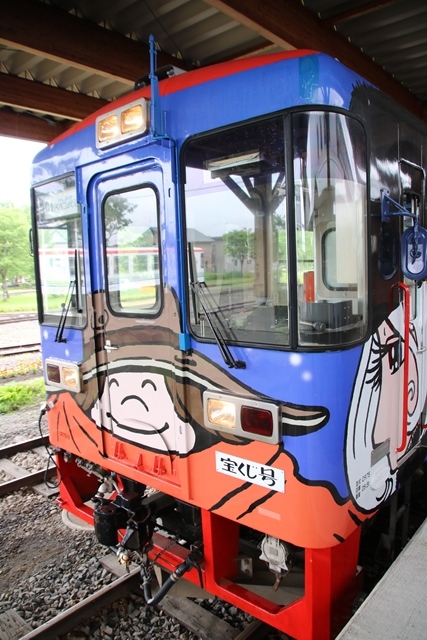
(236, 233)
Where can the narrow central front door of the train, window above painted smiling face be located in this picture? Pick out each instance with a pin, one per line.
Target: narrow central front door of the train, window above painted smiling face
(134, 388)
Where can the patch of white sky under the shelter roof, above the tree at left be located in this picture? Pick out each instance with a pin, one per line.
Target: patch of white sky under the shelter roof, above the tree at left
(16, 157)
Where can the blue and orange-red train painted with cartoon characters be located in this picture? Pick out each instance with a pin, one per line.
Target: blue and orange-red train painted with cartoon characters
(241, 420)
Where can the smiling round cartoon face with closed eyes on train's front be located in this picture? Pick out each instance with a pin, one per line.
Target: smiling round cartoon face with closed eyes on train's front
(141, 410)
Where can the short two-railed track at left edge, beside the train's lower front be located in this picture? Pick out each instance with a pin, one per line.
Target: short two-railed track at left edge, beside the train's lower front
(22, 477)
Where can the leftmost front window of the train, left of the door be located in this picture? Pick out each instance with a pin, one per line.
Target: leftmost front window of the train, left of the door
(60, 270)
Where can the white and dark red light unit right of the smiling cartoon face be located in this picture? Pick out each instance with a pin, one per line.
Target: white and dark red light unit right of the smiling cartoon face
(245, 417)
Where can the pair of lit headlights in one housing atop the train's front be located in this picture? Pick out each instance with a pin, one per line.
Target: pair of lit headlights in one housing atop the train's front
(122, 124)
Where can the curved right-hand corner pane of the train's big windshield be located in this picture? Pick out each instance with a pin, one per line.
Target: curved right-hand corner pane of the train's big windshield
(331, 236)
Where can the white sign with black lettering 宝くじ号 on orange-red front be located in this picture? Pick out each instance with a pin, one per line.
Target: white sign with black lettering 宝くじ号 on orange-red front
(268, 477)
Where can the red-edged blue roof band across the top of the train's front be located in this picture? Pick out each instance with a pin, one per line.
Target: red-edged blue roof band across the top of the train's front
(307, 77)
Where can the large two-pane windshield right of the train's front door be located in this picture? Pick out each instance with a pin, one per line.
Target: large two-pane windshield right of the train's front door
(283, 238)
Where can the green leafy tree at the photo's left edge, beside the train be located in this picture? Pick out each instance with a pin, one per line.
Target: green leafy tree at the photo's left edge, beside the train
(15, 259)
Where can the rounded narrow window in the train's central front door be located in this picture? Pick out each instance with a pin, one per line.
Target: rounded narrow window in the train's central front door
(132, 248)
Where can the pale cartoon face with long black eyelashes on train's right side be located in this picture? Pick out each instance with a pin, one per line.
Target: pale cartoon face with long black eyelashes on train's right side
(374, 435)
